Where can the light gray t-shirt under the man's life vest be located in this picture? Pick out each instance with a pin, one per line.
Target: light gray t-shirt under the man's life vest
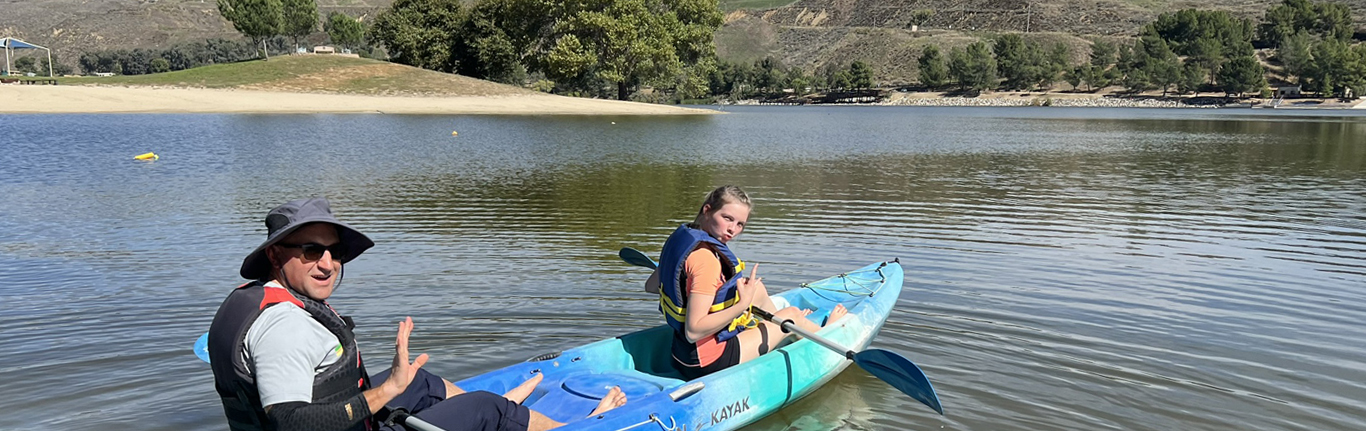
(285, 350)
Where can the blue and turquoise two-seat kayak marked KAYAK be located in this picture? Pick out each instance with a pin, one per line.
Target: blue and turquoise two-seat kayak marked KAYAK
(659, 399)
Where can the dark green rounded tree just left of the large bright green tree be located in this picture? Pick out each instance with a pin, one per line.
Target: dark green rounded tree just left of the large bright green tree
(420, 33)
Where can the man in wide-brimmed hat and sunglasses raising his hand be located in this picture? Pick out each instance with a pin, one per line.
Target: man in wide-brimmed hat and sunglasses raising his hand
(283, 359)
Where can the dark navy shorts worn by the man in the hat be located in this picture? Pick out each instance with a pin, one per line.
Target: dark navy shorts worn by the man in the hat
(473, 411)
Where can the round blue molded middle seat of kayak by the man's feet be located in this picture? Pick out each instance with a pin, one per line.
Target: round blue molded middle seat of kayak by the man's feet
(579, 393)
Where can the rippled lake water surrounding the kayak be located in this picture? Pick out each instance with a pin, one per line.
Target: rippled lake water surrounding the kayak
(1068, 269)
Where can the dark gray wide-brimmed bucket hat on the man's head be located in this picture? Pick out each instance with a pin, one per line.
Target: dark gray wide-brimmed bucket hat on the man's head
(292, 216)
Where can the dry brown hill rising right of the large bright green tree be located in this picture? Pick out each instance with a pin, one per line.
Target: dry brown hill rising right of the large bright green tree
(812, 33)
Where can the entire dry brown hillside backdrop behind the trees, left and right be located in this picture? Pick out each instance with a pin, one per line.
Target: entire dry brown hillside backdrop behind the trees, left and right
(807, 33)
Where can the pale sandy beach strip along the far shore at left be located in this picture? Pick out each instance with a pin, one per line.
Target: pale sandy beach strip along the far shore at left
(16, 99)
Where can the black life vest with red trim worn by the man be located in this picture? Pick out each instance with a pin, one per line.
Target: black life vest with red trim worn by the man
(232, 374)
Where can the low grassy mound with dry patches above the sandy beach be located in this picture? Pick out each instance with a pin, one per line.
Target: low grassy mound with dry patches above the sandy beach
(315, 74)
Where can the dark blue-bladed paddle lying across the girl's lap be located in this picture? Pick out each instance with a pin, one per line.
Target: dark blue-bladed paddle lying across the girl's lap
(887, 366)
